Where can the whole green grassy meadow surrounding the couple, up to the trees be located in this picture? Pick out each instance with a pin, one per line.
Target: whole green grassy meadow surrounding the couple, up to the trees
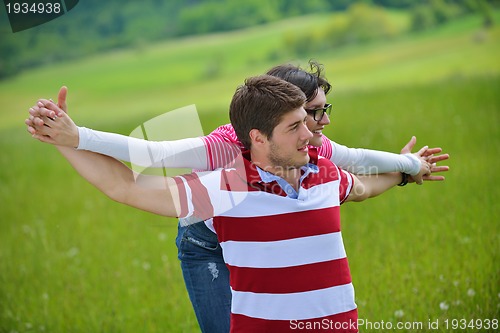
(72, 260)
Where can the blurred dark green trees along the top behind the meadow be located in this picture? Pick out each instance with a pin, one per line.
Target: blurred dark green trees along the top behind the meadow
(94, 25)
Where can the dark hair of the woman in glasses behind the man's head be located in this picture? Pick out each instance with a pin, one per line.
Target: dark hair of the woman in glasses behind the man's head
(307, 81)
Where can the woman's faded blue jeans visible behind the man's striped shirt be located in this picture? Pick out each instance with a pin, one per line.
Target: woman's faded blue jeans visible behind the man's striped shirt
(206, 276)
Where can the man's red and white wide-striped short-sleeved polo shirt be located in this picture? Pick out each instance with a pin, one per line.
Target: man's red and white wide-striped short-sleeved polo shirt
(287, 262)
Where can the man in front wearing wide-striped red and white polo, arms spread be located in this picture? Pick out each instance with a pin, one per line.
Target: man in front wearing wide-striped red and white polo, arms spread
(275, 170)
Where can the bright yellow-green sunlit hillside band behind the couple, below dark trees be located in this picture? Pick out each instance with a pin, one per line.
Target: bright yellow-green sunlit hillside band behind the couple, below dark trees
(153, 79)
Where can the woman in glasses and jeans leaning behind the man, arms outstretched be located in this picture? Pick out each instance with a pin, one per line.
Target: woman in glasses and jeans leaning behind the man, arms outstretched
(199, 251)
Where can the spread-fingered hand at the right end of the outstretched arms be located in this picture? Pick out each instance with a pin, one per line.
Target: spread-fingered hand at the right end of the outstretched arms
(427, 155)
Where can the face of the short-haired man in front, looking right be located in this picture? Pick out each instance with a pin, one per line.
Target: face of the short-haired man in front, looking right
(288, 145)
